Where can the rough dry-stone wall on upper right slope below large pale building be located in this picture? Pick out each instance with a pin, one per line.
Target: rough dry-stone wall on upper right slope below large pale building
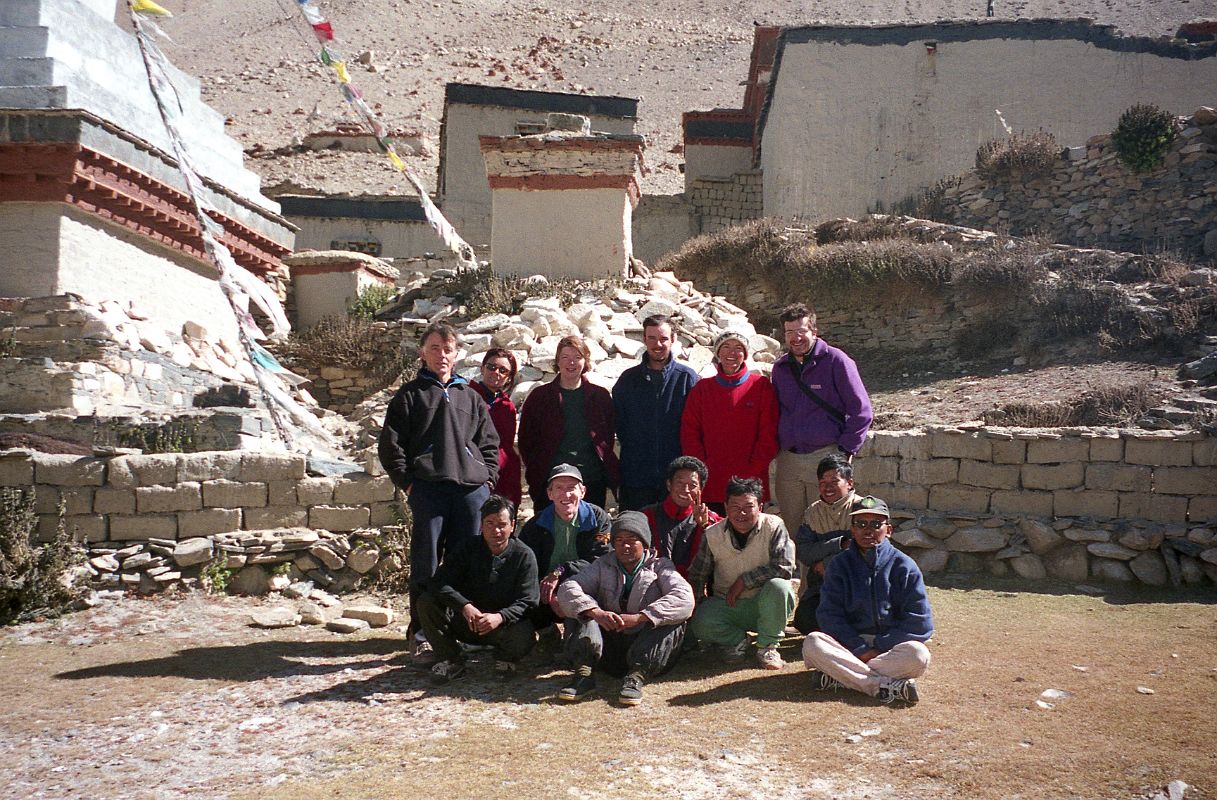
(1091, 199)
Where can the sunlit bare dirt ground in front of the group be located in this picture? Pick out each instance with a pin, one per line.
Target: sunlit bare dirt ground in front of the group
(180, 698)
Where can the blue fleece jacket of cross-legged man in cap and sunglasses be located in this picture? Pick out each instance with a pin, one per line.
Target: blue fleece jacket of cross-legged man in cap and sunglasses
(887, 601)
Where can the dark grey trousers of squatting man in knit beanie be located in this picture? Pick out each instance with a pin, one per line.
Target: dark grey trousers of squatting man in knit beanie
(653, 651)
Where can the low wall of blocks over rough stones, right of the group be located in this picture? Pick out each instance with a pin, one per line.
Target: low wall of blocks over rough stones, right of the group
(1112, 505)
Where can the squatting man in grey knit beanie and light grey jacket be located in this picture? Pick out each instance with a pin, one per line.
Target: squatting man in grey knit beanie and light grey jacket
(626, 614)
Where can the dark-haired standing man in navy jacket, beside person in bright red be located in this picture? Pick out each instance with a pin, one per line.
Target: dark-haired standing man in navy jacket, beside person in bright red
(648, 401)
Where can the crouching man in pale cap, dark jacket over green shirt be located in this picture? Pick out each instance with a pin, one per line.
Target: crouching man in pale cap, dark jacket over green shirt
(567, 536)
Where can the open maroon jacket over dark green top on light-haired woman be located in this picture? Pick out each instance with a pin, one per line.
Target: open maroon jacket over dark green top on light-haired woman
(541, 430)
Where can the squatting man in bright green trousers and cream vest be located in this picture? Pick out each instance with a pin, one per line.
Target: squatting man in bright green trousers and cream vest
(748, 561)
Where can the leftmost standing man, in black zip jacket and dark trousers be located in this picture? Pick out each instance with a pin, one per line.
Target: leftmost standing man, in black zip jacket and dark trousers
(440, 447)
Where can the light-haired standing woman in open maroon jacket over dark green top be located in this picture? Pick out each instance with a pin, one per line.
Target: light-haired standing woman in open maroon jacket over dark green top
(570, 422)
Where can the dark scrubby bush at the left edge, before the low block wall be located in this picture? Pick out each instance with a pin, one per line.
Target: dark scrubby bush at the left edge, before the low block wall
(35, 579)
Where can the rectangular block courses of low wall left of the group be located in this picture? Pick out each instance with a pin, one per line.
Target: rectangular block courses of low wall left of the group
(177, 496)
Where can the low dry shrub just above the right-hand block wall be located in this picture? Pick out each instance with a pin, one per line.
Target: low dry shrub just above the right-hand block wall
(1108, 405)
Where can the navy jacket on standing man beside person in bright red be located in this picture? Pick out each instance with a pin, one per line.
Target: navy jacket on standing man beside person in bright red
(648, 406)
